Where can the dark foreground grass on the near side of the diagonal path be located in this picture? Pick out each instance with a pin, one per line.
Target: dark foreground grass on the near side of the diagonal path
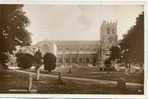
(14, 80)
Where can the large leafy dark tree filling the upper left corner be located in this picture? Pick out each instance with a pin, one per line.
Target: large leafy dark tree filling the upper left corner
(13, 23)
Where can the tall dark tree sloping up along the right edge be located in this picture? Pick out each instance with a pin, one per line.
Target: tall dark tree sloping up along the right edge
(133, 43)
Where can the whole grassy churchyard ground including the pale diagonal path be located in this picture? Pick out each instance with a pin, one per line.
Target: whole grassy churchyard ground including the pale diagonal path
(78, 81)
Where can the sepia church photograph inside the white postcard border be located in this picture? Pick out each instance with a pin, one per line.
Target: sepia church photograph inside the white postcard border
(72, 49)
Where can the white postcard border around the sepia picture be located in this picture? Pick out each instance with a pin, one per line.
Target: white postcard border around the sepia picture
(91, 2)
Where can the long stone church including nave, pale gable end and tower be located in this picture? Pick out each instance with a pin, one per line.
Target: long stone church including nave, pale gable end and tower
(83, 52)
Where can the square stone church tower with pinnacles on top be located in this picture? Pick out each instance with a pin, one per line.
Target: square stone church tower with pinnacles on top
(108, 38)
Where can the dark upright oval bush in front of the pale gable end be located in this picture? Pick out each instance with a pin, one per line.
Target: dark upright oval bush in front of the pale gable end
(49, 61)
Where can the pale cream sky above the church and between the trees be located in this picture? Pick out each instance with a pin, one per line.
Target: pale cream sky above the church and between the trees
(78, 22)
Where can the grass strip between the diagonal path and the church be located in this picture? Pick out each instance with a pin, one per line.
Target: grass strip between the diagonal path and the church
(92, 73)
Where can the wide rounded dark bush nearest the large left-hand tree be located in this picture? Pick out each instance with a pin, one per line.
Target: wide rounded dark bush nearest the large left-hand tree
(24, 60)
